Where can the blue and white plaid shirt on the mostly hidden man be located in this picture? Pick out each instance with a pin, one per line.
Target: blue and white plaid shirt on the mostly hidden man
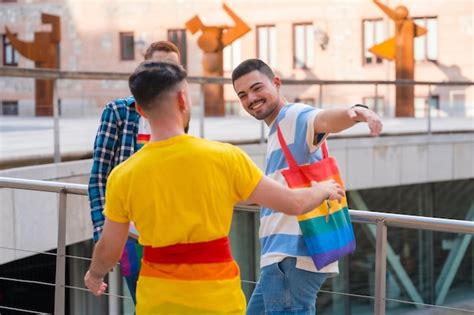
(116, 140)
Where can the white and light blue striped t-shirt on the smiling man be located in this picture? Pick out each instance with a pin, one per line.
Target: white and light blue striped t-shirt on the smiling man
(280, 235)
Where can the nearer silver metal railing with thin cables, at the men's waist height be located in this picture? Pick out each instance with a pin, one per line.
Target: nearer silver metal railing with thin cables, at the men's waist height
(380, 219)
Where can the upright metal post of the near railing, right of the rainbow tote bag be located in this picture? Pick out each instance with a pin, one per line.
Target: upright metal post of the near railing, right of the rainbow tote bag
(380, 267)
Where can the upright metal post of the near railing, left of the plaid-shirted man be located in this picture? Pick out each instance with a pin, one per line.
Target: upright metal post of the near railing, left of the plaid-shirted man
(59, 291)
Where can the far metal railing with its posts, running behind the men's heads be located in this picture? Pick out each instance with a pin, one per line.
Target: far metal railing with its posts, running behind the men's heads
(85, 75)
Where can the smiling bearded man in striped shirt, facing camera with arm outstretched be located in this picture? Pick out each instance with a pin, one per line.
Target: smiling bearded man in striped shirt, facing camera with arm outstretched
(289, 280)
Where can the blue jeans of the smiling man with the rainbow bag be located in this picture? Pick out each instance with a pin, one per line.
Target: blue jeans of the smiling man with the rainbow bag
(283, 289)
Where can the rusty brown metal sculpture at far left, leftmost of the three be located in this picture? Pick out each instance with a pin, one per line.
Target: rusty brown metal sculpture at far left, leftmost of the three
(44, 51)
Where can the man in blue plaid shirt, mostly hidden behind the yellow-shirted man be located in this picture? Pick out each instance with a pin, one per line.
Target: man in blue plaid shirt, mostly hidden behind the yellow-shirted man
(122, 132)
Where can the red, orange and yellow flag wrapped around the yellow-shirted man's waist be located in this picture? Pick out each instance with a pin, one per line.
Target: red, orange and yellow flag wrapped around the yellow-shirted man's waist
(195, 278)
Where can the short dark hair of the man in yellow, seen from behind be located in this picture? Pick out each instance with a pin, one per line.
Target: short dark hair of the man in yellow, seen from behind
(151, 79)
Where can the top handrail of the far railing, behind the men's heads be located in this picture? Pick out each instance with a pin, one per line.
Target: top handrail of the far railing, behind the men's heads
(94, 75)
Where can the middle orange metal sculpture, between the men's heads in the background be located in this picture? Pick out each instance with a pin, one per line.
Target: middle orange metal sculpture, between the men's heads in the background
(212, 41)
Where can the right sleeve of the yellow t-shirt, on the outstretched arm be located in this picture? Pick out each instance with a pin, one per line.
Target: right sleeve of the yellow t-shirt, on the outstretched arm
(246, 174)
